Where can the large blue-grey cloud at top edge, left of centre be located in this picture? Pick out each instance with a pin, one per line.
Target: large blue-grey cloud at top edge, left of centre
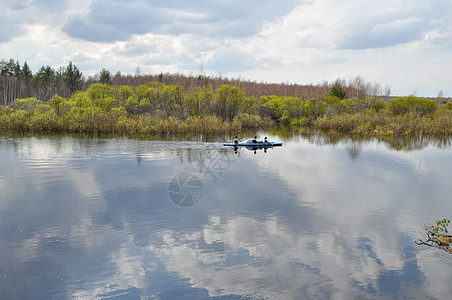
(116, 20)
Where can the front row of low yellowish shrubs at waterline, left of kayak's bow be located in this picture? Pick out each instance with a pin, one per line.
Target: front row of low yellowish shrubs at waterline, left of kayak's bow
(91, 120)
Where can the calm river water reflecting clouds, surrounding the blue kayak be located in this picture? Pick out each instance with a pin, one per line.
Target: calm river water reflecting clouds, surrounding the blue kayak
(128, 219)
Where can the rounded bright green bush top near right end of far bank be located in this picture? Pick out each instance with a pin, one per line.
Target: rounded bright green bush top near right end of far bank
(404, 105)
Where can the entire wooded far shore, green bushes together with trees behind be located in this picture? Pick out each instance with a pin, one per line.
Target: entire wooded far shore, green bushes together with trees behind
(63, 101)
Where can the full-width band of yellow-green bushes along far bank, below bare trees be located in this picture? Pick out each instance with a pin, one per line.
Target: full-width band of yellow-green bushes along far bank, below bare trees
(158, 109)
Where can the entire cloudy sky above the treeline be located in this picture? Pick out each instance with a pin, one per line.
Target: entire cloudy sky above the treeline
(405, 44)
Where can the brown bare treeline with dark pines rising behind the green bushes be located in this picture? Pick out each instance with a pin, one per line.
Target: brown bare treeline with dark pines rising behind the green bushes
(18, 81)
